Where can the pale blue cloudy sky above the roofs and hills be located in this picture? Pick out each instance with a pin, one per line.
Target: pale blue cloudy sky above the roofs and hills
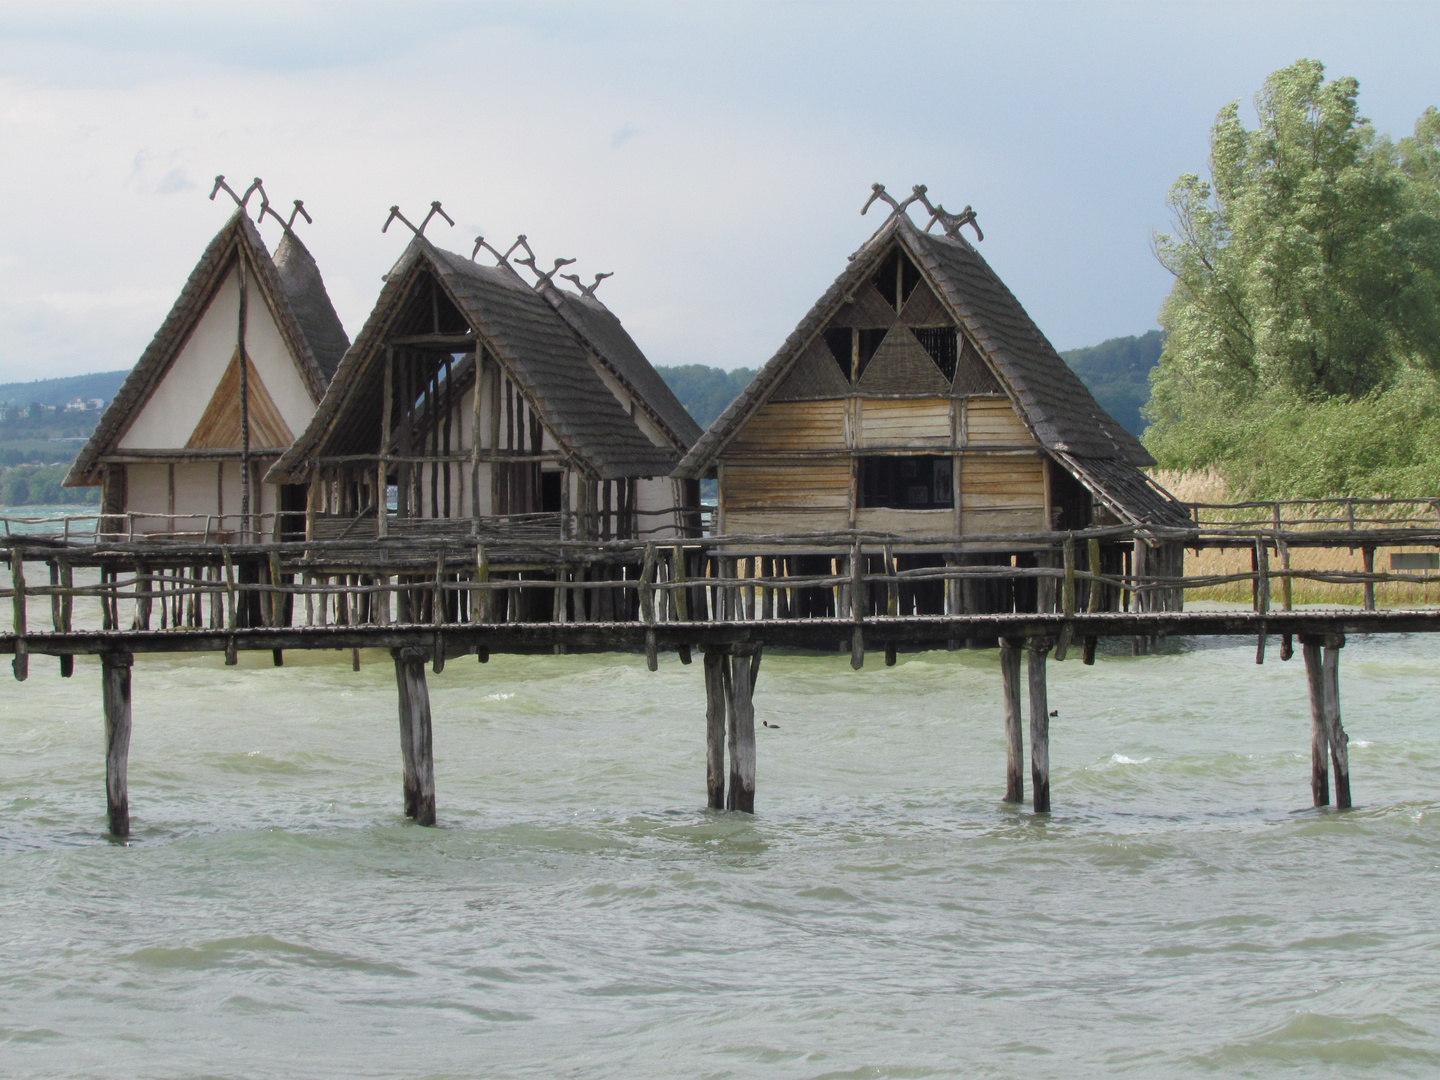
(714, 156)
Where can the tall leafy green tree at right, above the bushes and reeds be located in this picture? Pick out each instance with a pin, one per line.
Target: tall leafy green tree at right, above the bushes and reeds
(1307, 269)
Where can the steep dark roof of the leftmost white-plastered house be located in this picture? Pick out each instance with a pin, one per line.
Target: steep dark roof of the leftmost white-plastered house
(294, 293)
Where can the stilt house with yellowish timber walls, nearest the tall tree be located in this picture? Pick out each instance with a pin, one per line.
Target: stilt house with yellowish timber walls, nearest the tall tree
(918, 400)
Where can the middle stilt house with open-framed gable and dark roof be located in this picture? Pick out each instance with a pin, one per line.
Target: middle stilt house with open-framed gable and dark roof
(493, 405)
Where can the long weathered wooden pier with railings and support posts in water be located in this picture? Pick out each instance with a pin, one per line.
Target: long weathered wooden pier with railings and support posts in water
(438, 598)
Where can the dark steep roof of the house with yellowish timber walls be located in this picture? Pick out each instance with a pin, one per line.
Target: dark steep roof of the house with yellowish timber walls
(1058, 408)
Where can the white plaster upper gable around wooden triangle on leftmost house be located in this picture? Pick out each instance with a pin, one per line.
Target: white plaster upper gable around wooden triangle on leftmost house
(169, 418)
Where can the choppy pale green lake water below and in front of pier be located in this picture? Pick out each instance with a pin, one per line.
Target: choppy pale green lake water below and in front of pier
(580, 915)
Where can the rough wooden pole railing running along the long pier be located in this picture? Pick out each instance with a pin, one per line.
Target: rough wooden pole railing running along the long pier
(858, 578)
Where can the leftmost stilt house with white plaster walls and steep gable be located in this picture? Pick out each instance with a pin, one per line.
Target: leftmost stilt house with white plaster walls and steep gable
(233, 377)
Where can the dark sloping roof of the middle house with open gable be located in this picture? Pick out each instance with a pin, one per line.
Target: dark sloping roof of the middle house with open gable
(551, 345)
